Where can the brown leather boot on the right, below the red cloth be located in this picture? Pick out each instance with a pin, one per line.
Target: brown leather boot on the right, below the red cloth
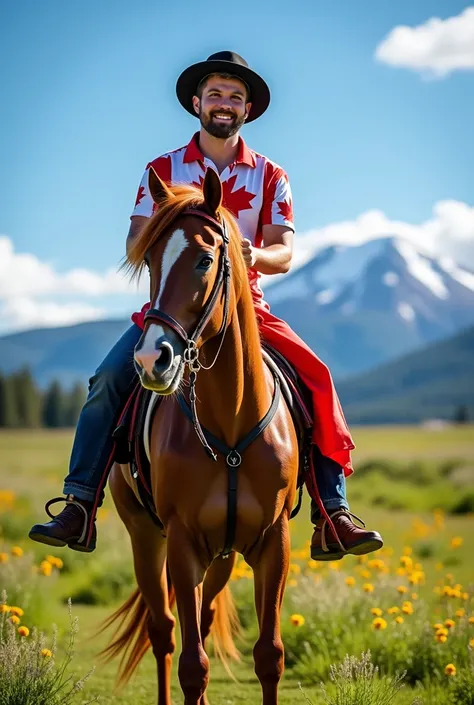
(350, 539)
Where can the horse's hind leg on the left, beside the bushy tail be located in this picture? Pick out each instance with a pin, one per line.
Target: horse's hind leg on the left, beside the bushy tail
(149, 556)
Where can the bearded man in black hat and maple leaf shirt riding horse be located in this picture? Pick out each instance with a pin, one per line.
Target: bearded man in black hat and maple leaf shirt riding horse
(224, 93)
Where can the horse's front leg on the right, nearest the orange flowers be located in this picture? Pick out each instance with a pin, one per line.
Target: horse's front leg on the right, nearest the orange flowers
(270, 567)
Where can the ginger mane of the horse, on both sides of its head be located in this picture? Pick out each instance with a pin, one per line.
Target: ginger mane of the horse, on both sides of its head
(185, 196)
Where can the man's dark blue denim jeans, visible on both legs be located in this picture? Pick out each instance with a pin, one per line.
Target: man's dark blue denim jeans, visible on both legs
(109, 389)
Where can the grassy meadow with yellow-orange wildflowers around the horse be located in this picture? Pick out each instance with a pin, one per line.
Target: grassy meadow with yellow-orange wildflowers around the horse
(435, 470)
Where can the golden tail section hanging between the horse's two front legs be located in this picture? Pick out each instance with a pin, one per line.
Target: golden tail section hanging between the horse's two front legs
(225, 627)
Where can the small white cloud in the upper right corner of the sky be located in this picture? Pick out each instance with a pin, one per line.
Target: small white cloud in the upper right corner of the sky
(435, 48)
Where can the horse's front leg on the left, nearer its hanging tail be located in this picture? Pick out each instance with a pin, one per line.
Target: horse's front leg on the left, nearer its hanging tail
(187, 574)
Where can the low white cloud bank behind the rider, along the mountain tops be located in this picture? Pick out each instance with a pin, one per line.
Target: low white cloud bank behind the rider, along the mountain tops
(34, 294)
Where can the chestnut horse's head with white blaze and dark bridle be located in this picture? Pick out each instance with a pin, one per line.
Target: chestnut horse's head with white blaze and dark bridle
(185, 245)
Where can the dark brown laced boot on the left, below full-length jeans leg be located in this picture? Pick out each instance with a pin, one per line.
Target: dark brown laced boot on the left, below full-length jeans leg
(70, 527)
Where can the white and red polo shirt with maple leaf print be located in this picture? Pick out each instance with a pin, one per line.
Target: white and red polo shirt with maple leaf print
(255, 190)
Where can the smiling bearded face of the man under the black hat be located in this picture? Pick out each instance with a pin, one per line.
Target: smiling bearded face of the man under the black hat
(222, 108)
